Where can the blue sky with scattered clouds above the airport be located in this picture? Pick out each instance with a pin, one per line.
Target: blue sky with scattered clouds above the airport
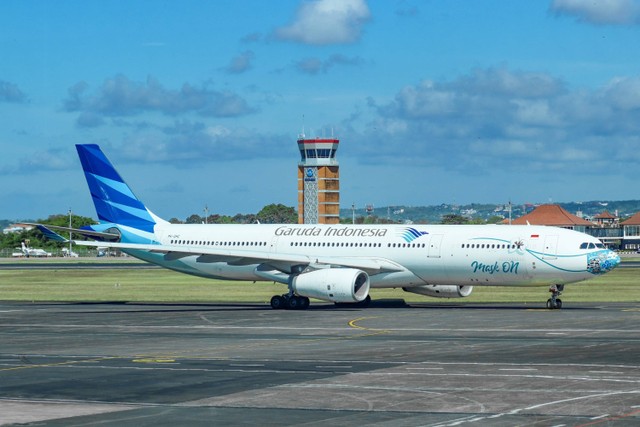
(201, 102)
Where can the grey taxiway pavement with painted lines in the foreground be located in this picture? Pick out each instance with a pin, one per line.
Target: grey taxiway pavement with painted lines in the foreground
(388, 365)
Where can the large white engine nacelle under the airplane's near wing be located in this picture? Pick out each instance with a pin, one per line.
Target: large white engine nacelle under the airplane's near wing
(333, 284)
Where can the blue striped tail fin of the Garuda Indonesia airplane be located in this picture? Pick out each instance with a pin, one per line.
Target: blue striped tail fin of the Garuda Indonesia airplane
(113, 199)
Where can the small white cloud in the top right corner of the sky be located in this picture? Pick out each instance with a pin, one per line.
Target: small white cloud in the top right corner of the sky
(600, 12)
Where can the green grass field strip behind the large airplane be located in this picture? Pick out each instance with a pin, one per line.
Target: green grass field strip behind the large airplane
(159, 285)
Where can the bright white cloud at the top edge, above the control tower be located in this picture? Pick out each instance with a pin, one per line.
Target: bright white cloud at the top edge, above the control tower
(323, 22)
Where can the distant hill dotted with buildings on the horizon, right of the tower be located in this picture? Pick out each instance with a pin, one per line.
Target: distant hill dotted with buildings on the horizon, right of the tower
(434, 214)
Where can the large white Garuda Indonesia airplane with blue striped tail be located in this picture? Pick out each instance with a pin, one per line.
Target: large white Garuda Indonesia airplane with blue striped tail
(340, 263)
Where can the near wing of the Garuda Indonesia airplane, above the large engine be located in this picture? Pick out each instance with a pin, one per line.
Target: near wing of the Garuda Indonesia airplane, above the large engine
(248, 257)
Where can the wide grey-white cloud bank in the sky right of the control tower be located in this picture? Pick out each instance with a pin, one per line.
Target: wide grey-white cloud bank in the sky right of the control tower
(492, 119)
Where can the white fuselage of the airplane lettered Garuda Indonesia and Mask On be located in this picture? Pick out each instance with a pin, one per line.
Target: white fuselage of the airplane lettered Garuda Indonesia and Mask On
(415, 255)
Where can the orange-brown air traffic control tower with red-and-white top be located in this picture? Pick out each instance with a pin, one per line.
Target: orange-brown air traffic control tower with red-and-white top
(318, 181)
